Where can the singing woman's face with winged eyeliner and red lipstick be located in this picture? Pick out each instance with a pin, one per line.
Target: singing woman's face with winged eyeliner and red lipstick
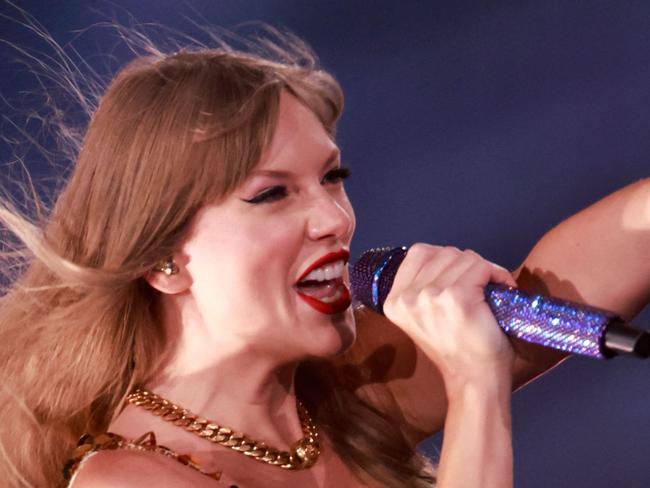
(247, 253)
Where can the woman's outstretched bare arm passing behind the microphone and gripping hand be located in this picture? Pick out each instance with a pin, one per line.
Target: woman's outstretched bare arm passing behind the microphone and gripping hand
(602, 251)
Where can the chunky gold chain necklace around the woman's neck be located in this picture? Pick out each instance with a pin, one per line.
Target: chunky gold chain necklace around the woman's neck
(304, 453)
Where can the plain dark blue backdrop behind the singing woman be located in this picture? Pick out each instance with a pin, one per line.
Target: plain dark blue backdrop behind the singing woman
(477, 124)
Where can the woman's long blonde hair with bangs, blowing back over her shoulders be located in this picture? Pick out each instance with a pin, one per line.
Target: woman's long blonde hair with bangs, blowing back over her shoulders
(79, 325)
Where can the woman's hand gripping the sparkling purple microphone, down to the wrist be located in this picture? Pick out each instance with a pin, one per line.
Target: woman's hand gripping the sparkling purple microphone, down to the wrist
(437, 299)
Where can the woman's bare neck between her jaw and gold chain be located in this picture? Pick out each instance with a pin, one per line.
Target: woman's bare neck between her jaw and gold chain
(231, 385)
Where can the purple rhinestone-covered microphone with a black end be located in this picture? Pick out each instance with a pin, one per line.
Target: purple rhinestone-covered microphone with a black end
(551, 322)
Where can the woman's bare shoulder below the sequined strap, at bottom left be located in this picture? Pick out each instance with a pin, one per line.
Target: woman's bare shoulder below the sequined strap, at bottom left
(136, 469)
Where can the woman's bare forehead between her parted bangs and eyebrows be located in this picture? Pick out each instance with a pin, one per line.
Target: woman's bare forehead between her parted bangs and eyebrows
(299, 138)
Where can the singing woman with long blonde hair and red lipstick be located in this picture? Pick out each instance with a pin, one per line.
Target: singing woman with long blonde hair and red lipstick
(197, 254)
